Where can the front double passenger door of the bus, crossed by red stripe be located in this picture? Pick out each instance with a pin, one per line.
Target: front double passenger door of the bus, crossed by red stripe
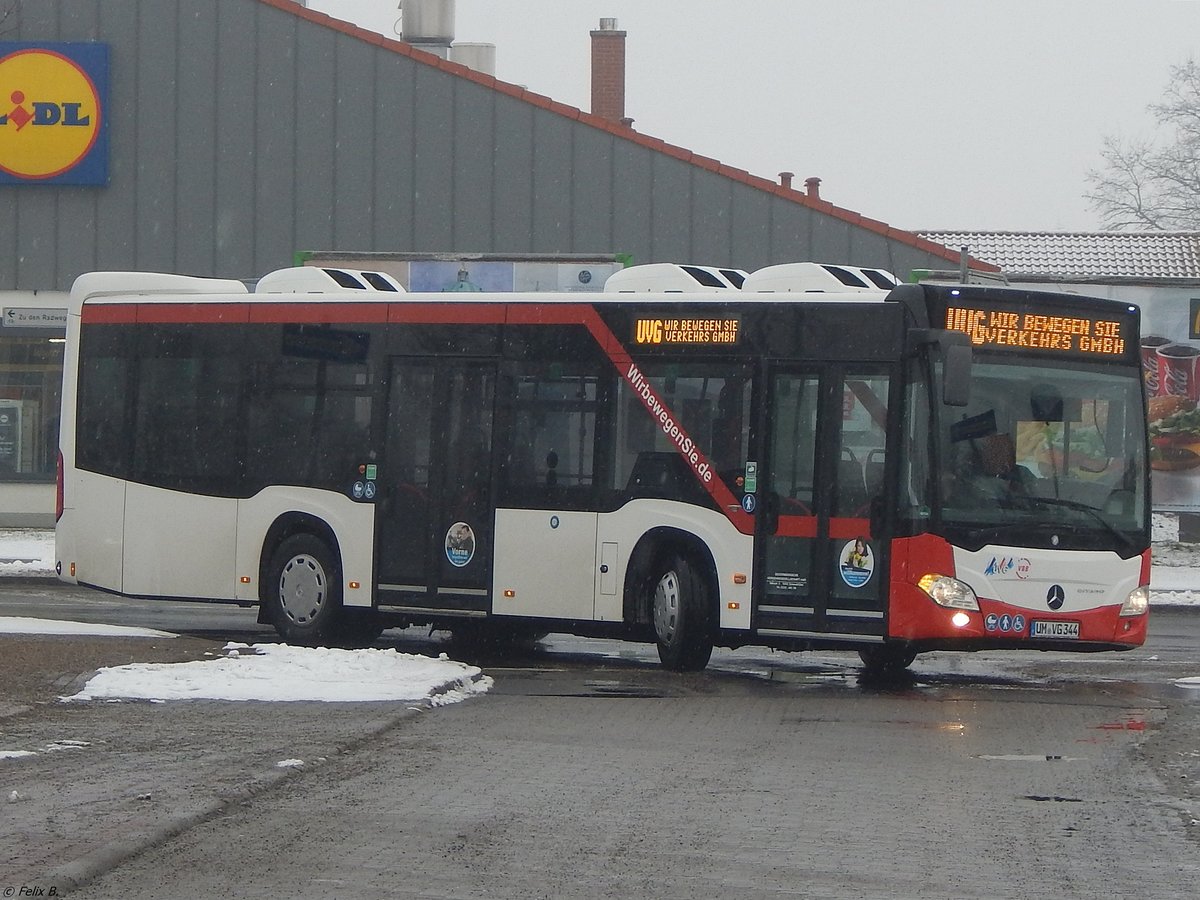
(823, 571)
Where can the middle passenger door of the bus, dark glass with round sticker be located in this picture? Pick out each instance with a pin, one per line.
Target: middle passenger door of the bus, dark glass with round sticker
(436, 507)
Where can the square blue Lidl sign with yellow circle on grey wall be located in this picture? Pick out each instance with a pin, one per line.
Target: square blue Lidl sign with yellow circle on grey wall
(55, 113)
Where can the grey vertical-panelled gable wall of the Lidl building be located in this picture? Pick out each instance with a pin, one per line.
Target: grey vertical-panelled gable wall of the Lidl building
(242, 133)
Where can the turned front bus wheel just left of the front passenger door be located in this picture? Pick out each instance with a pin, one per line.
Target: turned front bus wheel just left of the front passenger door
(681, 610)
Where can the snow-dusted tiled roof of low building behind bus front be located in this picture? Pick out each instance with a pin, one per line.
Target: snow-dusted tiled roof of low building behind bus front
(1095, 255)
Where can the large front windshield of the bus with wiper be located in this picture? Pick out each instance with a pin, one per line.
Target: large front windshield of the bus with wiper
(1045, 457)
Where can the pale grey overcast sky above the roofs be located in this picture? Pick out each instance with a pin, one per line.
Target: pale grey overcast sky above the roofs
(927, 115)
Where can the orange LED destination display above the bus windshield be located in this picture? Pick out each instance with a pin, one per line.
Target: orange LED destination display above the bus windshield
(1087, 335)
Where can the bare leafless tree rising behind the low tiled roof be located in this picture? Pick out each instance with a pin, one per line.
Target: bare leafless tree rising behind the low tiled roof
(1148, 184)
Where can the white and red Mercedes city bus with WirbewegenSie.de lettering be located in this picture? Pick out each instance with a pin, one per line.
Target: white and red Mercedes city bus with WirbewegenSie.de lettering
(887, 471)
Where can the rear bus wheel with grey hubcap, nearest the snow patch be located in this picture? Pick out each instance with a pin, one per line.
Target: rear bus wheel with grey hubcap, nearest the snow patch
(304, 591)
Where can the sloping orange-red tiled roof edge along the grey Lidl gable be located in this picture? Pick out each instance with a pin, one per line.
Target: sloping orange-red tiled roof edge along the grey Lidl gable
(622, 131)
